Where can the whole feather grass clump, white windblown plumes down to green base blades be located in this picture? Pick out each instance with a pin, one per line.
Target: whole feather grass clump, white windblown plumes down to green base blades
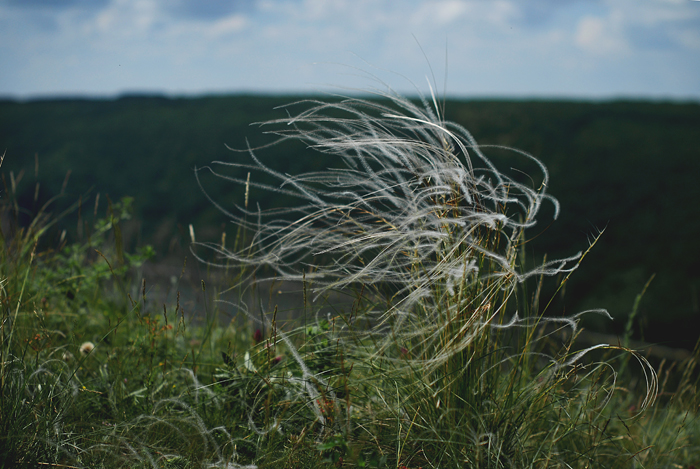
(451, 365)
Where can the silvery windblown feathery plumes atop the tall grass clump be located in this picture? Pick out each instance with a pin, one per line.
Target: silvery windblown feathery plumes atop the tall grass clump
(419, 212)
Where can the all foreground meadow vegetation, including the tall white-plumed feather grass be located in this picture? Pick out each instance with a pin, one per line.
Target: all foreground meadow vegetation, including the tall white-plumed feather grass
(427, 335)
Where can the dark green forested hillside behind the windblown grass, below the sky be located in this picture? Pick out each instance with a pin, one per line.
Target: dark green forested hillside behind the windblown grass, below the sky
(628, 167)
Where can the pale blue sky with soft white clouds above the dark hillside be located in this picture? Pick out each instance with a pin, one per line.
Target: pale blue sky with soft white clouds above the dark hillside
(508, 48)
